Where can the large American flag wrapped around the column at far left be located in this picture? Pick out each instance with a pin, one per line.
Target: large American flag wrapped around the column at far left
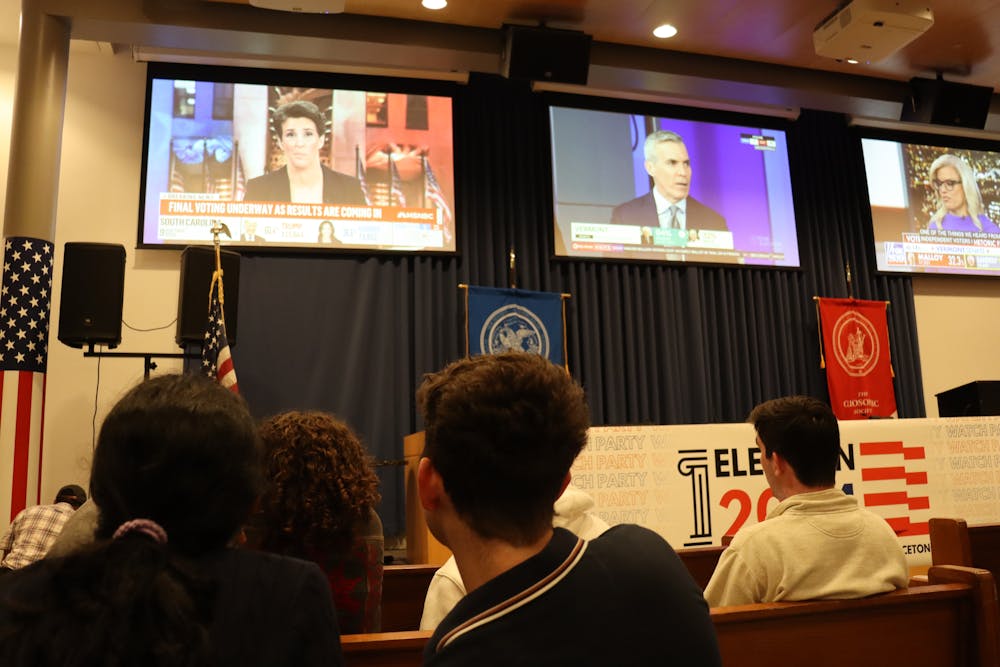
(25, 299)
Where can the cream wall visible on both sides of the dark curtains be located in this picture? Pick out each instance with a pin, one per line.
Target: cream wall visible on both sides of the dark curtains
(957, 319)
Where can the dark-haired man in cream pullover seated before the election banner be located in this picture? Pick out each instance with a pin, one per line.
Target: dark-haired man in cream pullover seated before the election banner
(817, 543)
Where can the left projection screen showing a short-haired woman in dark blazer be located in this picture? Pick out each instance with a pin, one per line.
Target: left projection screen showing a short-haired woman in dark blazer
(296, 161)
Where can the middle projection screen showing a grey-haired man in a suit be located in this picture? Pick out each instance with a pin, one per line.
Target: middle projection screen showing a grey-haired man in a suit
(733, 197)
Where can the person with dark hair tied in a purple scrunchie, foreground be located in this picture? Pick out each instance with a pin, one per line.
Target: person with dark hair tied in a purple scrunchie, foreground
(174, 475)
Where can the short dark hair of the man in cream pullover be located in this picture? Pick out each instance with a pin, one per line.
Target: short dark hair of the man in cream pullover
(804, 432)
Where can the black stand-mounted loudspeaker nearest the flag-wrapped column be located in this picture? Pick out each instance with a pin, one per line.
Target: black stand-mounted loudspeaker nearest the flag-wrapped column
(93, 288)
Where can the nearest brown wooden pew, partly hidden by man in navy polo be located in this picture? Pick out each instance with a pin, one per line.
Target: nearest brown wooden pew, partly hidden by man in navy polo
(951, 622)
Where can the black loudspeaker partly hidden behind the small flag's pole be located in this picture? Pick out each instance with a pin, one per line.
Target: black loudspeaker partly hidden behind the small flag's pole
(197, 266)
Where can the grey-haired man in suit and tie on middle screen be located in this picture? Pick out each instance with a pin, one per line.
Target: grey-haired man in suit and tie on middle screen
(668, 204)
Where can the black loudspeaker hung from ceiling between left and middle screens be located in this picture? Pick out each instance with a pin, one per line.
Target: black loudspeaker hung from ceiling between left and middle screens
(545, 54)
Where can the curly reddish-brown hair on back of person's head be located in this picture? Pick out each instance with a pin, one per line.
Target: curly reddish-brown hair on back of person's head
(320, 485)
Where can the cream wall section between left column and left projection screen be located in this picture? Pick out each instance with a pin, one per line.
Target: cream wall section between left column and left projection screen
(98, 202)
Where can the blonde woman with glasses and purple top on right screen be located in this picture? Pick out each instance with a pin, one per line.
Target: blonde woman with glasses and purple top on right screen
(960, 204)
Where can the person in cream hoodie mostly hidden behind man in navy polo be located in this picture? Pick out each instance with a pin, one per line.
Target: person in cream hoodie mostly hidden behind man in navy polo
(572, 512)
